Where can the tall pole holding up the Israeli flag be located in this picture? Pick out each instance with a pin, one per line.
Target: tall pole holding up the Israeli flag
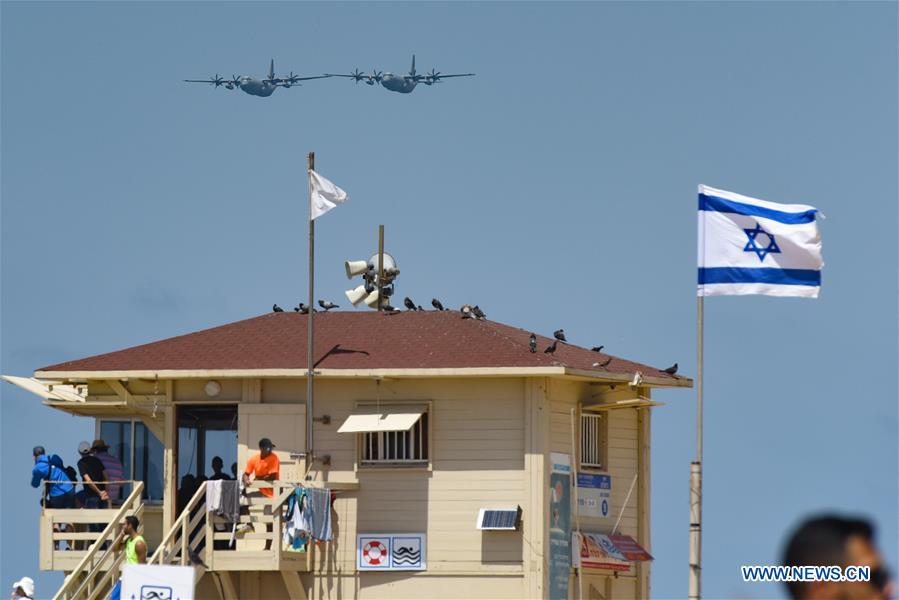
(696, 467)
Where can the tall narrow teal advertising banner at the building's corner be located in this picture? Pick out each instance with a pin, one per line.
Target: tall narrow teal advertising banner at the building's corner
(559, 526)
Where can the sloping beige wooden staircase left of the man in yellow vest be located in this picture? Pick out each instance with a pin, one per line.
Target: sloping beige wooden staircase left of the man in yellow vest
(100, 568)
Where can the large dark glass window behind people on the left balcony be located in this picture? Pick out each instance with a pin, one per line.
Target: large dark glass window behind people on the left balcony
(140, 452)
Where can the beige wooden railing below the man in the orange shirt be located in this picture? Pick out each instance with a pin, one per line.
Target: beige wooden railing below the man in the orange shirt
(194, 531)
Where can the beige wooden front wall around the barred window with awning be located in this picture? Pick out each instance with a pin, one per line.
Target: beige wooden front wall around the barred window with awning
(477, 461)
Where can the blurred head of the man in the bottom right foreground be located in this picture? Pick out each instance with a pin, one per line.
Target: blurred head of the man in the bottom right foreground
(829, 540)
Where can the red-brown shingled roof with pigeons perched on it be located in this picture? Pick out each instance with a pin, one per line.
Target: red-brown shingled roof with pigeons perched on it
(353, 340)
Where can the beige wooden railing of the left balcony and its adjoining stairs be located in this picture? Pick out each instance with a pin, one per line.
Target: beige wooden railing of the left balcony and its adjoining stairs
(98, 569)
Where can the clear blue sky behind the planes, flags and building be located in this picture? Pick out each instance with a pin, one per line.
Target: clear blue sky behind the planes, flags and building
(555, 189)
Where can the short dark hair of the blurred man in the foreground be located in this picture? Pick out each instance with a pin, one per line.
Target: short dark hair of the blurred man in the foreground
(820, 541)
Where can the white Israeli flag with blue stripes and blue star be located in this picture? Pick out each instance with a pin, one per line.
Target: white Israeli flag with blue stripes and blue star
(751, 246)
